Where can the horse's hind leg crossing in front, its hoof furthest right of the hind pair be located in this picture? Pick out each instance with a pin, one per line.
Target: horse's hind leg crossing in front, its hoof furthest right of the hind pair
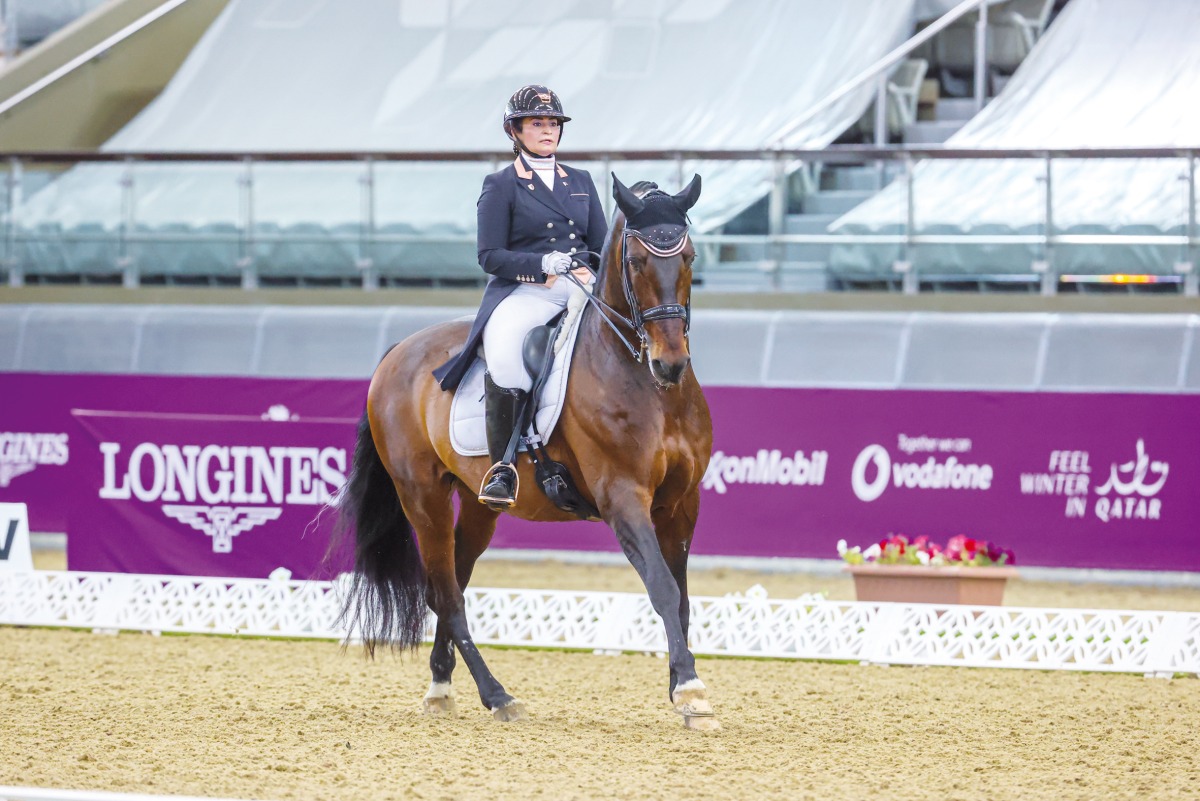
(433, 517)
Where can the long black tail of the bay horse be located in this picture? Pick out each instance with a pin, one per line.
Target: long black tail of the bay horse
(386, 604)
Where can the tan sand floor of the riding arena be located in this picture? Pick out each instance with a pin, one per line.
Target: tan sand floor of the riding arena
(257, 719)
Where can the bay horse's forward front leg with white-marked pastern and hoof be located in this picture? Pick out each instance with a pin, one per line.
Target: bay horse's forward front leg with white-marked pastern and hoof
(631, 520)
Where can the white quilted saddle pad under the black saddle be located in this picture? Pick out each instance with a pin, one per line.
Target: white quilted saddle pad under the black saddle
(469, 435)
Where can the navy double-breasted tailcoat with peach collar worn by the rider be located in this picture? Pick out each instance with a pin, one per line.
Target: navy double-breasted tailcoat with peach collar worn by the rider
(520, 221)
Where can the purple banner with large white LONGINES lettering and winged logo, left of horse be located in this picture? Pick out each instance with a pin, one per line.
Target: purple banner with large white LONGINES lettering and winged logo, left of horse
(206, 495)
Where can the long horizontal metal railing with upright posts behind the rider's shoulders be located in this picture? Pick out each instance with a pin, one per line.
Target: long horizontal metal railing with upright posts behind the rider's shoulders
(782, 162)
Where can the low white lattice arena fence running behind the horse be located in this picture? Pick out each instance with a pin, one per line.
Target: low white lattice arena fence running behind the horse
(752, 624)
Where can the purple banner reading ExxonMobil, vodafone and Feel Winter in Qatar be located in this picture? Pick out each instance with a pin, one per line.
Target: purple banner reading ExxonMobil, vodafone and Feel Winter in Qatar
(1064, 480)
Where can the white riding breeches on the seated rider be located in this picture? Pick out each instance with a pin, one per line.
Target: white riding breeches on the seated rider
(527, 306)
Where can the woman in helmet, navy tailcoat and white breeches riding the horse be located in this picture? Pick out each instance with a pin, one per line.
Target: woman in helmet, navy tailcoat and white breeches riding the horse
(535, 216)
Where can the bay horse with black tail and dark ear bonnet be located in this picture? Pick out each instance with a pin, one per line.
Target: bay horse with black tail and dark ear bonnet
(635, 433)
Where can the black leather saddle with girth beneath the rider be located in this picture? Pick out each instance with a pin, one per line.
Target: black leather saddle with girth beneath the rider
(554, 478)
